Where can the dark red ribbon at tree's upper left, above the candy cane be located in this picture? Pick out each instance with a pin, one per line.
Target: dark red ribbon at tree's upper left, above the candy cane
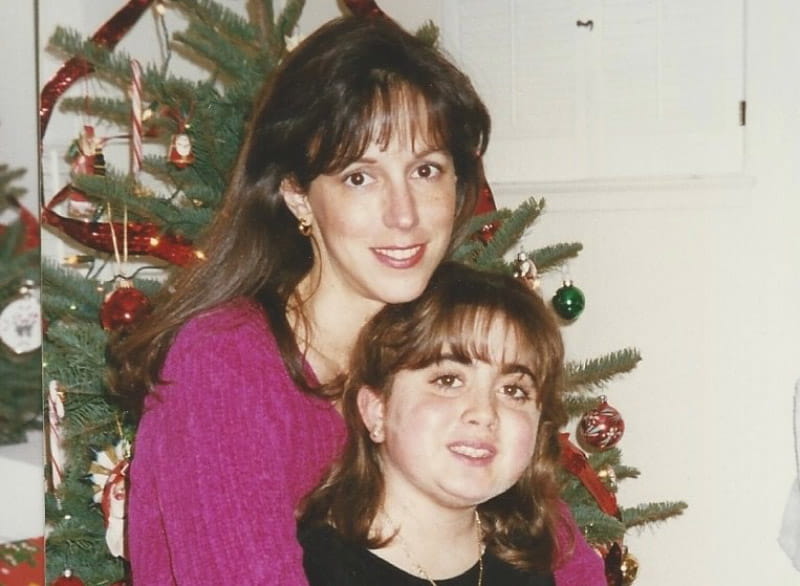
(106, 36)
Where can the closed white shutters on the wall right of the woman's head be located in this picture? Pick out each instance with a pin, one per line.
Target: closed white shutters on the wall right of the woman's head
(582, 89)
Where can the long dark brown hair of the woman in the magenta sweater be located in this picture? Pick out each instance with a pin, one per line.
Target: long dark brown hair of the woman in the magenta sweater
(347, 85)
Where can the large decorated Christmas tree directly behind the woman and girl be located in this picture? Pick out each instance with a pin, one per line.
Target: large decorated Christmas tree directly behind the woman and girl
(158, 207)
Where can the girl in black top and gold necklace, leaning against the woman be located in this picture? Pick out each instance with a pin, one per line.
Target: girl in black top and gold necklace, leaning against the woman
(448, 477)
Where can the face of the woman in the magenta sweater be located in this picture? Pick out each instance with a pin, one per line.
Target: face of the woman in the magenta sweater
(383, 223)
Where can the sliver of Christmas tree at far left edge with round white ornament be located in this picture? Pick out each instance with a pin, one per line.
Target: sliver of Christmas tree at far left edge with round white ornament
(20, 357)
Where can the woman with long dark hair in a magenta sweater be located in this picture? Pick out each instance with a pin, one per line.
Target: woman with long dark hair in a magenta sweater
(358, 173)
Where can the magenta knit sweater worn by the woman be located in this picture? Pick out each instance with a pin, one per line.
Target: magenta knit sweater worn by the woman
(223, 453)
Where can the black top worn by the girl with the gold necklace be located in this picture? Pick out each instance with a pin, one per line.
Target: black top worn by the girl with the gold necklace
(330, 561)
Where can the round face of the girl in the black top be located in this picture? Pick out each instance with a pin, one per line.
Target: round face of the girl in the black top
(456, 434)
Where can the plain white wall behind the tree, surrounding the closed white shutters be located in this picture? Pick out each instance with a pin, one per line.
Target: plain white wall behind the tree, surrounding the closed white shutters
(702, 278)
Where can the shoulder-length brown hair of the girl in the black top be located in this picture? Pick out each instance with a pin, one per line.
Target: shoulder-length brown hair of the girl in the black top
(454, 312)
